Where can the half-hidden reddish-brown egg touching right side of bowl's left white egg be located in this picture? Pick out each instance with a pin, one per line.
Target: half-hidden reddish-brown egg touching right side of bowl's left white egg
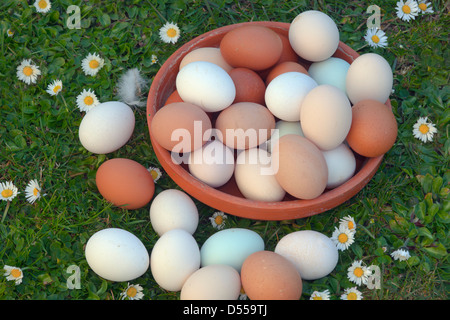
(249, 85)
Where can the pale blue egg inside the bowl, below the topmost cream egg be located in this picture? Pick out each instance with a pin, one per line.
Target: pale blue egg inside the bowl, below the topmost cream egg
(331, 71)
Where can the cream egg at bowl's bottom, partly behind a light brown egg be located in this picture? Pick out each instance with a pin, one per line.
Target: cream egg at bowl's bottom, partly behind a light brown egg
(255, 177)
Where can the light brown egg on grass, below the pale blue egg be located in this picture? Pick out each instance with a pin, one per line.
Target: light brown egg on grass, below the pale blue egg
(266, 275)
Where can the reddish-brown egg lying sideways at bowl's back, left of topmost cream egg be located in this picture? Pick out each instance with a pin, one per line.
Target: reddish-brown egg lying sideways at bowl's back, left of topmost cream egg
(253, 47)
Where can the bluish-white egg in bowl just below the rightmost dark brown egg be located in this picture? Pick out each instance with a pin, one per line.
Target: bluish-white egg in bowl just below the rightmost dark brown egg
(341, 165)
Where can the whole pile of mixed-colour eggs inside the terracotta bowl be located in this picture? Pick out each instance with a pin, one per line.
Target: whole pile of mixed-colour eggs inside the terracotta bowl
(279, 114)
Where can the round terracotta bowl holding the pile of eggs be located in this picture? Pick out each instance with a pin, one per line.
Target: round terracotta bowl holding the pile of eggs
(228, 198)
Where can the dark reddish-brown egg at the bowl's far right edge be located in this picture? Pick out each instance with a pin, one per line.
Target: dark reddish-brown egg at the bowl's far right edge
(374, 128)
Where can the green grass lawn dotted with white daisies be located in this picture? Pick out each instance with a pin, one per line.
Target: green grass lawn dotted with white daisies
(406, 204)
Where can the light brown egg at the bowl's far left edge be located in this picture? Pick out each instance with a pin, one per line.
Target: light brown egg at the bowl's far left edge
(181, 127)
